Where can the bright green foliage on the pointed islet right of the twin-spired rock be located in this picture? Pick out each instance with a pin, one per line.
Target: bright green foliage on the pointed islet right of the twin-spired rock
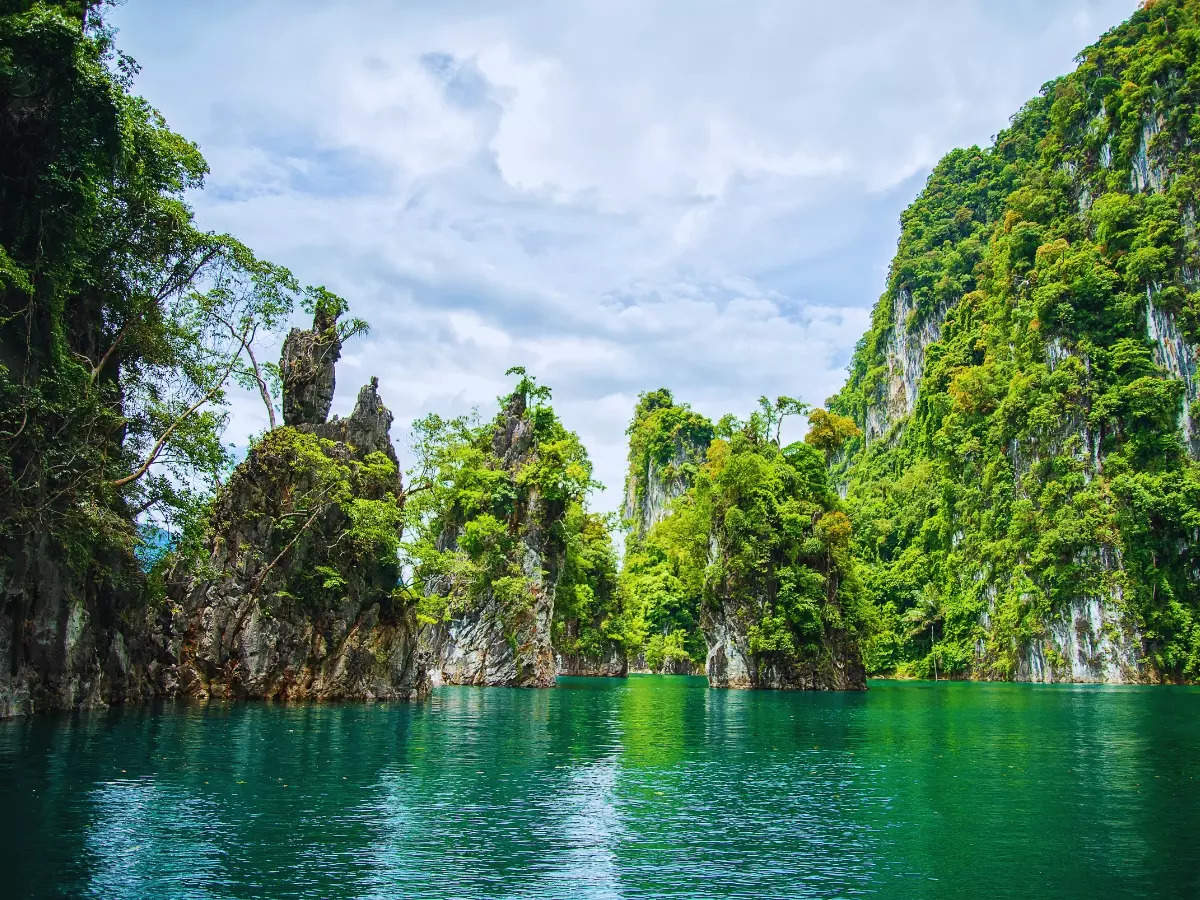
(473, 512)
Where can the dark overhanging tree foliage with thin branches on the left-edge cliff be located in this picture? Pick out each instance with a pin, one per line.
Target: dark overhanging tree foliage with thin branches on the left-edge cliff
(122, 323)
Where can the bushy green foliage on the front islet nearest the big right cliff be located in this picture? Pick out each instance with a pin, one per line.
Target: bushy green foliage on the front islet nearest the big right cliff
(758, 537)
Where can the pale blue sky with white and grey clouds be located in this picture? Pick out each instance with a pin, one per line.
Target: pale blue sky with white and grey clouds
(619, 196)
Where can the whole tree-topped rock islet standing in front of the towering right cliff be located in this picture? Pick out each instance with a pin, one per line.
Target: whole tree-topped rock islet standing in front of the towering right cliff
(778, 613)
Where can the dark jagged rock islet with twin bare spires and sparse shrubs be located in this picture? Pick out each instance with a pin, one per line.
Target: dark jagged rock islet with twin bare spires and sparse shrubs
(297, 597)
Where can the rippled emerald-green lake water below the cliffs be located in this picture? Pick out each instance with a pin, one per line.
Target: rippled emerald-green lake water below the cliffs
(653, 787)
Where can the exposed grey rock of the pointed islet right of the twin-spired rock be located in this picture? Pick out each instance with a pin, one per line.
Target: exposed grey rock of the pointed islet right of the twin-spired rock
(503, 637)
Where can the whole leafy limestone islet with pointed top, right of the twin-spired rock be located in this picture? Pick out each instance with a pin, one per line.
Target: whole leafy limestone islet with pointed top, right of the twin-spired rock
(497, 513)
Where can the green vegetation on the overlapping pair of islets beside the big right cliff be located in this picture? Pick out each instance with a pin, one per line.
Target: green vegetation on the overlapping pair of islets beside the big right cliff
(747, 529)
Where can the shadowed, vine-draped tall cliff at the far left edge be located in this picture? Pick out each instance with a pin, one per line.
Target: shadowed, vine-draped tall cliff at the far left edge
(74, 626)
